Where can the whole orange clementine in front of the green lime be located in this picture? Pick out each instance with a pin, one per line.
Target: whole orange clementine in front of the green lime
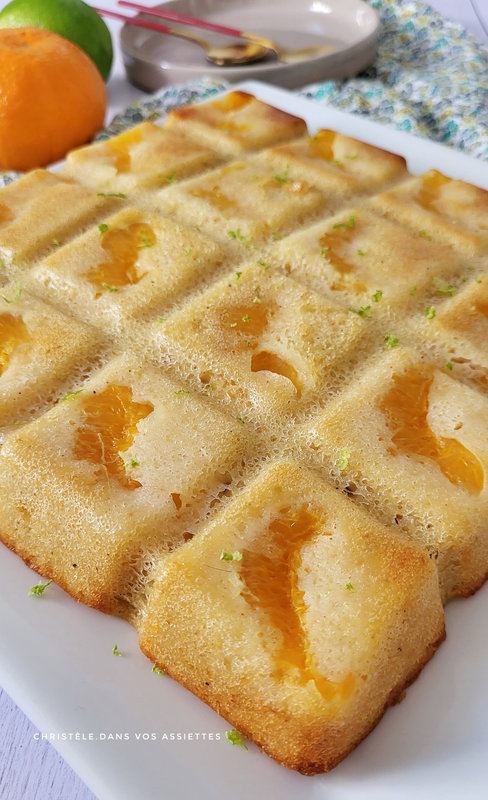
(52, 97)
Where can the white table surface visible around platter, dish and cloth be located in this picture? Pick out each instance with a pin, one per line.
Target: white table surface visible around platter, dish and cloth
(31, 769)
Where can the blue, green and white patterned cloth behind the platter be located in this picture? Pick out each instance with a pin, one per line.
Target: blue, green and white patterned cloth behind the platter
(430, 78)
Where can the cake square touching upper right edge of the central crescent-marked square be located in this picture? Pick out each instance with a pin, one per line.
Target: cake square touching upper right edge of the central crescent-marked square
(358, 257)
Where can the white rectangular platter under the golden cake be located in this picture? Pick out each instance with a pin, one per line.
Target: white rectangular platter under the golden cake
(134, 735)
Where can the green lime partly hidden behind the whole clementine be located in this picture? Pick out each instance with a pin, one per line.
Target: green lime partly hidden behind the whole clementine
(72, 19)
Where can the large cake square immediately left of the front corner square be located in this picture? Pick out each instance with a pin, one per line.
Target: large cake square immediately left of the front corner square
(109, 479)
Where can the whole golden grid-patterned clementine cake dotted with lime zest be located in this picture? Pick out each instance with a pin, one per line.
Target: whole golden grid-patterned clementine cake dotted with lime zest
(196, 355)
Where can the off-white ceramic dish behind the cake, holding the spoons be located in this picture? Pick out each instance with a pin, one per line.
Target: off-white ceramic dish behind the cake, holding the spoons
(153, 60)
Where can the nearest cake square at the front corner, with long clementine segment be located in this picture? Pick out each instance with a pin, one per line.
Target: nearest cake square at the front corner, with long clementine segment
(296, 616)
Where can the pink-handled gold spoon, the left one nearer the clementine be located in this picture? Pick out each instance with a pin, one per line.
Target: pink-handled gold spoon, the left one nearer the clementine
(230, 55)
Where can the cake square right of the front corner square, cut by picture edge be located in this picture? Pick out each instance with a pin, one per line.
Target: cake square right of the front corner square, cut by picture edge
(408, 441)
